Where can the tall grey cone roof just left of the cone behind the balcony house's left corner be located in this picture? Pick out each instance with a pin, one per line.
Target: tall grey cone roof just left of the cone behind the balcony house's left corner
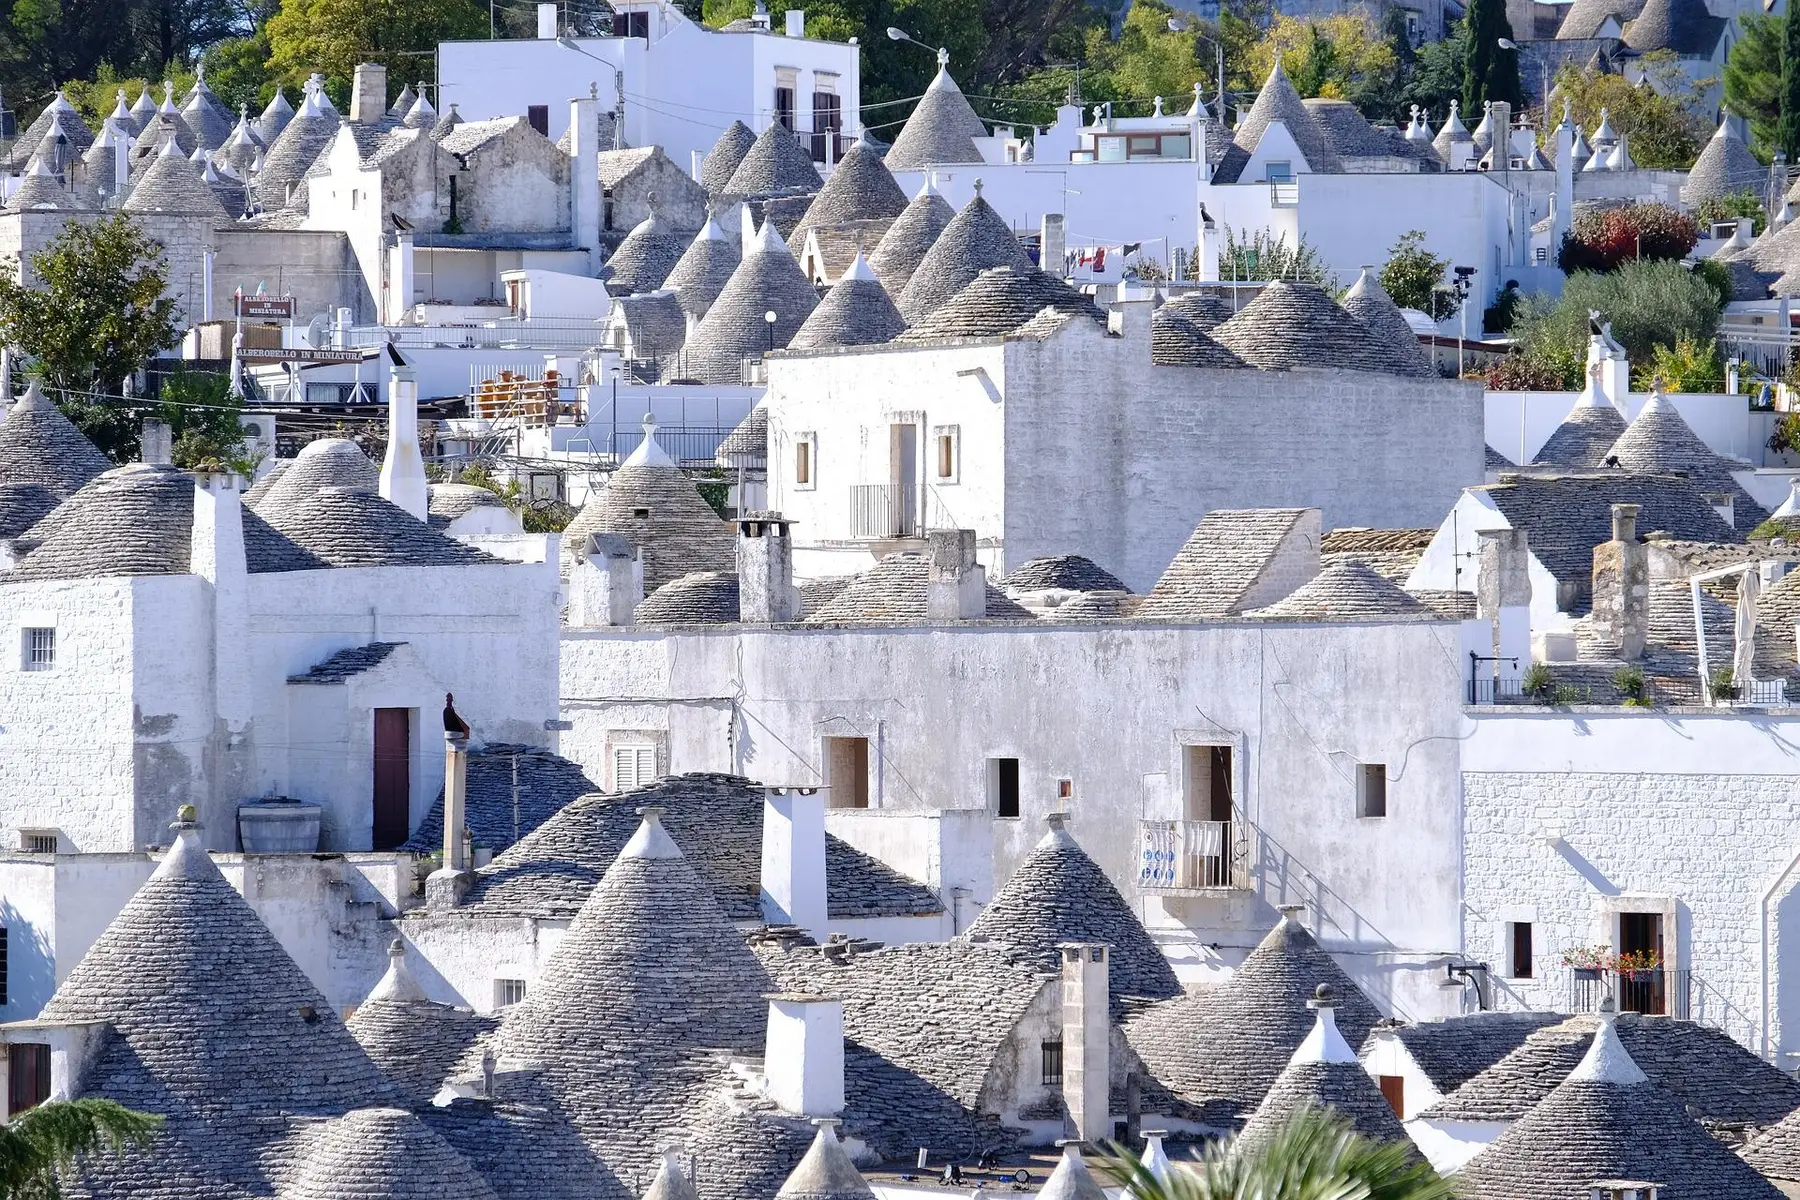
(735, 327)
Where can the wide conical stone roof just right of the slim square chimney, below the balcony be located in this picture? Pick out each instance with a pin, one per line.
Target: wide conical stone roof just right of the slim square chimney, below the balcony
(1227, 1046)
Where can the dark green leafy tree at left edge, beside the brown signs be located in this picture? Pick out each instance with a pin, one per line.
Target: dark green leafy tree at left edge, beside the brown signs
(93, 312)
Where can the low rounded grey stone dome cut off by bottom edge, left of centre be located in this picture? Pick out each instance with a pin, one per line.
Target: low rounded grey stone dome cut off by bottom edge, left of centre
(382, 1152)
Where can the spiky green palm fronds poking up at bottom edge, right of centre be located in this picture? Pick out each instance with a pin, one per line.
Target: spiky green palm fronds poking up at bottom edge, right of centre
(1317, 1156)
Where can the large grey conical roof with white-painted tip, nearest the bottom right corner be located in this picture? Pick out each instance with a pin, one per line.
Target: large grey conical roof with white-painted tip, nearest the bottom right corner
(1608, 1122)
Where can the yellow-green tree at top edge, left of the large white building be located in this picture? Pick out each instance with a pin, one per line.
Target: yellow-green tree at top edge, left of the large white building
(336, 35)
